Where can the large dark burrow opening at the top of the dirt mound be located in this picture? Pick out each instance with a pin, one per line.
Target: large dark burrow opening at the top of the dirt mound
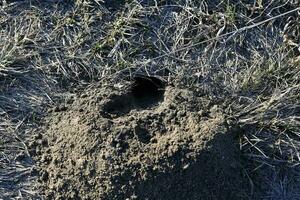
(144, 93)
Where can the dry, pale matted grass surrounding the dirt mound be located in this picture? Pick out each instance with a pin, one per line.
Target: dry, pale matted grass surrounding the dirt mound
(246, 51)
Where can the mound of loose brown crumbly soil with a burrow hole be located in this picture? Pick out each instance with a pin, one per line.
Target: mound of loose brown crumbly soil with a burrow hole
(138, 143)
